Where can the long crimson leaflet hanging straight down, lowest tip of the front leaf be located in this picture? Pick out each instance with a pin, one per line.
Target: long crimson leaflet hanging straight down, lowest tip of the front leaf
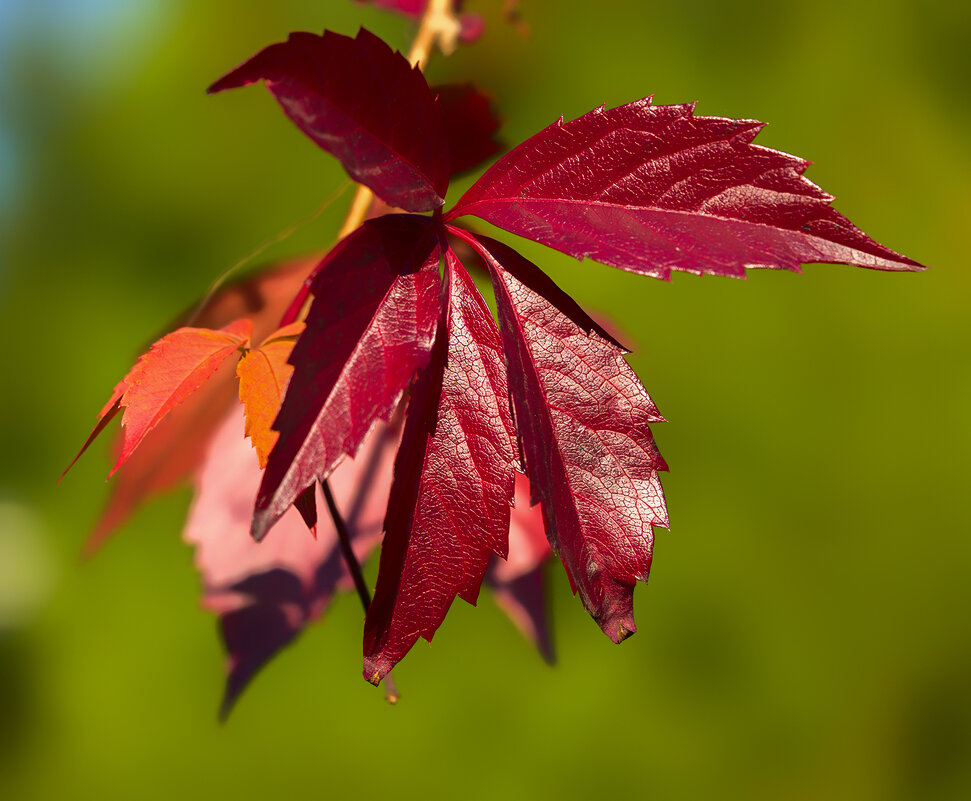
(449, 507)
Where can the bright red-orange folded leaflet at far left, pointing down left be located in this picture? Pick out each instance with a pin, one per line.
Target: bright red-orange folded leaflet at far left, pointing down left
(172, 369)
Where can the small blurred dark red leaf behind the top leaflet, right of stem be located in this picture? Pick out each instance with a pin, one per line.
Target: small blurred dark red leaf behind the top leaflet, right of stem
(470, 125)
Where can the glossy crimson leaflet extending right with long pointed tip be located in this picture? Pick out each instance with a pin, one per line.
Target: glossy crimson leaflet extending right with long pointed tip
(653, 189)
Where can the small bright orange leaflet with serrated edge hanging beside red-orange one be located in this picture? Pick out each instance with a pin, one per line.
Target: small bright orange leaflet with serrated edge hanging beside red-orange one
(263, 377)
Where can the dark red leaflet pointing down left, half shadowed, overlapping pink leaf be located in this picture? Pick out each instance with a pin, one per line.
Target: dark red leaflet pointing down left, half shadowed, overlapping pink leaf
(369, 329)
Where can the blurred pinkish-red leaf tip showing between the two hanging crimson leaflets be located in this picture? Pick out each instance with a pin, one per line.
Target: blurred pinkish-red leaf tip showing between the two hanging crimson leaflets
(517, 582)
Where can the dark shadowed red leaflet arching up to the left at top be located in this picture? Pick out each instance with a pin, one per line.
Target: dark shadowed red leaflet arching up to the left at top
(362, 102)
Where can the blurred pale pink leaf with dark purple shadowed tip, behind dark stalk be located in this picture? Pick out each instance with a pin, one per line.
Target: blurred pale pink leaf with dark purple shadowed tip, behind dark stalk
(265, 593)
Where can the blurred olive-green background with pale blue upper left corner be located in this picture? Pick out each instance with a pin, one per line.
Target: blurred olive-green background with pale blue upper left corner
(806, 631)
